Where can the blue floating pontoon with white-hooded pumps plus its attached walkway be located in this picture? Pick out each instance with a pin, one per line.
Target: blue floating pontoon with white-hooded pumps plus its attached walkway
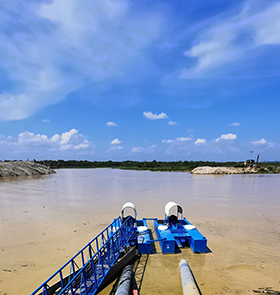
(118, 244)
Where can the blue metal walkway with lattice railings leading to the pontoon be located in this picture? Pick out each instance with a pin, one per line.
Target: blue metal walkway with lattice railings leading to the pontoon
(84, 272)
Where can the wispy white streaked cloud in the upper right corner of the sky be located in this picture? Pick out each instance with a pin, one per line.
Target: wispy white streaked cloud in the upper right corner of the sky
(227, 40)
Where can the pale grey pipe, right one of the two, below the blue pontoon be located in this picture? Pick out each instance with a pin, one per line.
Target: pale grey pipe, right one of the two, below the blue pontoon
(188, 283)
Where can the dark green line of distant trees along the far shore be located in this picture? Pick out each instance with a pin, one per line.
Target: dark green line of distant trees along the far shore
(265, 167)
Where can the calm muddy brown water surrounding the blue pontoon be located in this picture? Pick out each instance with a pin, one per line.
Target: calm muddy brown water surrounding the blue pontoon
(46, 220)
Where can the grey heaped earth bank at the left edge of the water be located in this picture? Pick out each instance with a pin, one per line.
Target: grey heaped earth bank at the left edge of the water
(23, 168)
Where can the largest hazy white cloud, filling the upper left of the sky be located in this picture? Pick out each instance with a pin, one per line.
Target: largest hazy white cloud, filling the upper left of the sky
(51, 48)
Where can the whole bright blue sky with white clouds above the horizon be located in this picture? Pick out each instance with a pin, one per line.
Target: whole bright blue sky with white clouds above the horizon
(139, 80)
